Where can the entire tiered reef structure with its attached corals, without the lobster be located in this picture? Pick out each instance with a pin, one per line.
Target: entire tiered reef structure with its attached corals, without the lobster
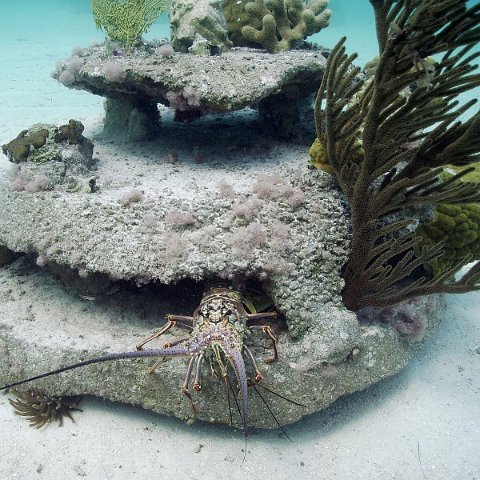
(134, 230)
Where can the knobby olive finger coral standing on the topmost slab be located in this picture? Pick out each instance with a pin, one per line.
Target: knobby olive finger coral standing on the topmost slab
(274, 24)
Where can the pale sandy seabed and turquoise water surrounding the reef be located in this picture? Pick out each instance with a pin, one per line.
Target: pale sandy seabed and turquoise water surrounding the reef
(421, 423)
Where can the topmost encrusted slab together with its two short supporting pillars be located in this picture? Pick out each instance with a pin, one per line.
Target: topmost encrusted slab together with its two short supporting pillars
(194, 85)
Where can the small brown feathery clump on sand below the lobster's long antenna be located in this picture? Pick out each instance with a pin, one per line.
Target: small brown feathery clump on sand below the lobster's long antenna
(40, 408)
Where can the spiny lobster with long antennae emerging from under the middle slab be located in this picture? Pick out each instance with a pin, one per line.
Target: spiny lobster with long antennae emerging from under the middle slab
(219, 326)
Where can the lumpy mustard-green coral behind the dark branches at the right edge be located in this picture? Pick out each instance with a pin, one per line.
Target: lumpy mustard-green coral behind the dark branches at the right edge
(458, 227)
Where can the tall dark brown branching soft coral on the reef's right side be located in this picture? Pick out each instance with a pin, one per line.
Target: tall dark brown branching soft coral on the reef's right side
(406, 139)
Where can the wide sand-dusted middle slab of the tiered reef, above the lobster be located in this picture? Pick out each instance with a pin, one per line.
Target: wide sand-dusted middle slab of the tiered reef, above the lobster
(225, 217)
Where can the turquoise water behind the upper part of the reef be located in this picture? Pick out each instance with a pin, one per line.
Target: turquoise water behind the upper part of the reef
(36, 35)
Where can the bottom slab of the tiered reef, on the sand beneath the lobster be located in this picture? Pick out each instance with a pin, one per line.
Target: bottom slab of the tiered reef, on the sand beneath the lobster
(43, 327)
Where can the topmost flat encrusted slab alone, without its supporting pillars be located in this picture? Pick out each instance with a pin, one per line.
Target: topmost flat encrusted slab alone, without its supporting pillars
(221, 83)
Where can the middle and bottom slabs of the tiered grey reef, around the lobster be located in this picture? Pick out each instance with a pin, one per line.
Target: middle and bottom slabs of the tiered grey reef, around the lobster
(178, 211)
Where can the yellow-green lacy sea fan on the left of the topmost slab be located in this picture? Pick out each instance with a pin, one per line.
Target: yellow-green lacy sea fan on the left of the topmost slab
(125, 21)
